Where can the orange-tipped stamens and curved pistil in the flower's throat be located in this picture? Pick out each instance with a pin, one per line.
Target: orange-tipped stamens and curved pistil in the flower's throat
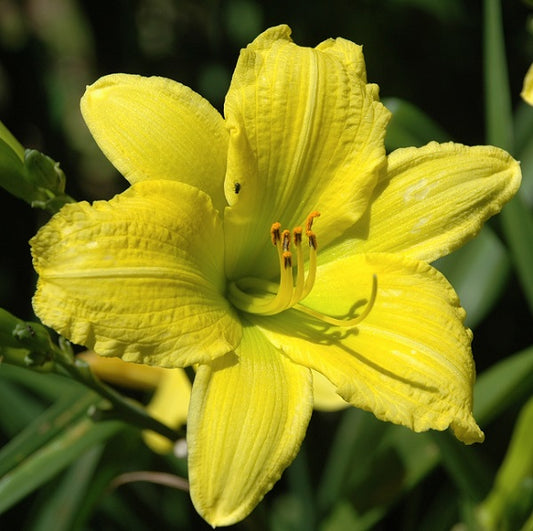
(261, 297)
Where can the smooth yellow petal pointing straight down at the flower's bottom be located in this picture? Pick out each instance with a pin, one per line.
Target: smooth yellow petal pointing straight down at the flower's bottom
(248, 415)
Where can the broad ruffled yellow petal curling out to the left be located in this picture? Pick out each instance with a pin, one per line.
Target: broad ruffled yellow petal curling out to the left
(140, 276)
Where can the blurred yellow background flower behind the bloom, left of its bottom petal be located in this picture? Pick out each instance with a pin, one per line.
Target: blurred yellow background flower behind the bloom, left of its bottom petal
(169, 403)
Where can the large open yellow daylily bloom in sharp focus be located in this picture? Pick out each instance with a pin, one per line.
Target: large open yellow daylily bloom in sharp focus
(216, 256)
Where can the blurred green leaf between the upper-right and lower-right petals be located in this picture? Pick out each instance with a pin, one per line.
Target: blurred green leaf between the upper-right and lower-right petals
(479, 272)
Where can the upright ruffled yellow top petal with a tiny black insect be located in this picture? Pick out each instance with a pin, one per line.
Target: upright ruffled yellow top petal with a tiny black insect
(306, 133)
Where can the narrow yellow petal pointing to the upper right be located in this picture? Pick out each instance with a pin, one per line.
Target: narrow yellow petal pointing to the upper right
(434, 199)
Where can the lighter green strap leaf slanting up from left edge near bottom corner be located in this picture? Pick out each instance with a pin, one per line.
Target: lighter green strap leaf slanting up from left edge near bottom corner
(46, 462)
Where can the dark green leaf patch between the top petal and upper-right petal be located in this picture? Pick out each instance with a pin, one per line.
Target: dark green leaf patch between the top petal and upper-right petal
(410, 126)
